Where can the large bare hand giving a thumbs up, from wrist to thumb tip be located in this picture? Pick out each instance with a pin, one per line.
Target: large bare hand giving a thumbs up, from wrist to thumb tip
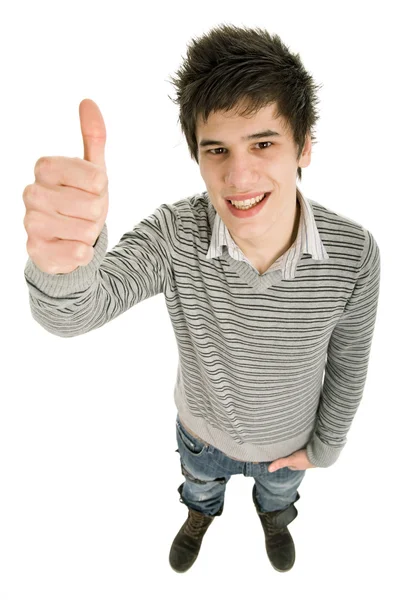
(67, 205)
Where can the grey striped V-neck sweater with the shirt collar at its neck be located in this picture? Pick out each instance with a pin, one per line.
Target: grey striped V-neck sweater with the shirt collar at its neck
(268, 364)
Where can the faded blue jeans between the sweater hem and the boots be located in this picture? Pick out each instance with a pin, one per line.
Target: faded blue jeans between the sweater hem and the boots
(207, 471)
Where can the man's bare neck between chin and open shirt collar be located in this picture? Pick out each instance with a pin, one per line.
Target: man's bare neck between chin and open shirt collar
(263, 257)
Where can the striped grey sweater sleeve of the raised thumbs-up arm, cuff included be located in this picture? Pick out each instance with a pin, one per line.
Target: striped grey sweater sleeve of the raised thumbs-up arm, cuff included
(138, 267)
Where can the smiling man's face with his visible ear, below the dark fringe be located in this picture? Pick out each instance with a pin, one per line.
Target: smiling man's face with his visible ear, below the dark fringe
(233, 165)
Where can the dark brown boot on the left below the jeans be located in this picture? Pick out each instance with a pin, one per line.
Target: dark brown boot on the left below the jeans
(187, 543)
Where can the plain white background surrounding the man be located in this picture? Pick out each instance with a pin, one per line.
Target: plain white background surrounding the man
(88, 471)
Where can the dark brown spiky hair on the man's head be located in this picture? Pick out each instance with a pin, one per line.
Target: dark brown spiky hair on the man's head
(244, 69)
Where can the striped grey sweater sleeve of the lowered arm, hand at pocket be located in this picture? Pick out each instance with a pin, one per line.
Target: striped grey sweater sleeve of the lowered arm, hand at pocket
(347, 361)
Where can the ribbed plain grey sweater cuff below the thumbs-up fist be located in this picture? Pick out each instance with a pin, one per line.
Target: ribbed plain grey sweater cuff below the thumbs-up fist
(60, 285)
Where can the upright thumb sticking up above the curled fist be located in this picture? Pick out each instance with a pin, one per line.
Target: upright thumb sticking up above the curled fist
(93, 131)
